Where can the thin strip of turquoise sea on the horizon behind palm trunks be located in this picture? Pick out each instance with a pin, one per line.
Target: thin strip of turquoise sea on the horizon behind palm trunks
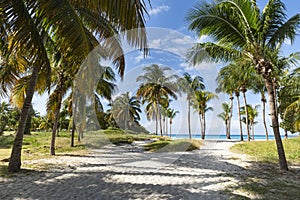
(233, 137)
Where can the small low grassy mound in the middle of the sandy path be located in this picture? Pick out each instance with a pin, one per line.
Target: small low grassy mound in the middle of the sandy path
(166, 145)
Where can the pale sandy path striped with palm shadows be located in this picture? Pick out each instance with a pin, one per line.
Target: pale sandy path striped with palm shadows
(126, 173)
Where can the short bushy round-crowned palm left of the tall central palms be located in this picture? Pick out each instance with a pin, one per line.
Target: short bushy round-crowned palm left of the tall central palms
(125, 110)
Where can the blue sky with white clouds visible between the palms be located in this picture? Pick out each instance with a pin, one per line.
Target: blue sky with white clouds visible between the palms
(169, 38)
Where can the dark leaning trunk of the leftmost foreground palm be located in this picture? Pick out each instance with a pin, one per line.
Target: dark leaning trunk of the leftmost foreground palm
(15, 157)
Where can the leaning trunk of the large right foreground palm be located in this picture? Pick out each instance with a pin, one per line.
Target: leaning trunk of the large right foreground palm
(275, 123)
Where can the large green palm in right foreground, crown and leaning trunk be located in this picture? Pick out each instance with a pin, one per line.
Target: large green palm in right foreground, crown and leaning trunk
(241, 30)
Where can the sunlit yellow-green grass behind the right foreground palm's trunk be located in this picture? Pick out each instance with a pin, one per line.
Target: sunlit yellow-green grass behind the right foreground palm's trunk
(266, 151)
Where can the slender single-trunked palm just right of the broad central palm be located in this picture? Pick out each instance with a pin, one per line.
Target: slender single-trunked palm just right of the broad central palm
(190, 85)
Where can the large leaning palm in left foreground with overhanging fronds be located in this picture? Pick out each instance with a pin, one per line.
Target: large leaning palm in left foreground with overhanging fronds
(72, 23)
